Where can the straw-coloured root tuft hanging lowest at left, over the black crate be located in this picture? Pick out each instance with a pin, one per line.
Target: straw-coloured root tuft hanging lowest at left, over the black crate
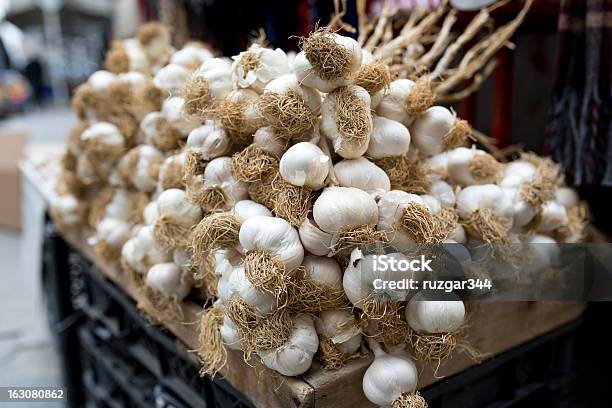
(211, 351)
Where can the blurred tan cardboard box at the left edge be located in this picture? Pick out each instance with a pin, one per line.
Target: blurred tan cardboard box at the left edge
(11, 148)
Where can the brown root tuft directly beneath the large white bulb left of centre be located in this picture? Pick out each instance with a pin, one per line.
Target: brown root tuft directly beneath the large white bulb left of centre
(266, 272)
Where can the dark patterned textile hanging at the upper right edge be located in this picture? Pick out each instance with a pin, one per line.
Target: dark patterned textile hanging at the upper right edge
(579, 132)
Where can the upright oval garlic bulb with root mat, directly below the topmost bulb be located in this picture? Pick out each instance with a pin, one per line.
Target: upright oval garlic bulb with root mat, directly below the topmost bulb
(346, 120)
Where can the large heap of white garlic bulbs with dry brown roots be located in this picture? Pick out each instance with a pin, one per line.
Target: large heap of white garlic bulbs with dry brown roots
(257, 180)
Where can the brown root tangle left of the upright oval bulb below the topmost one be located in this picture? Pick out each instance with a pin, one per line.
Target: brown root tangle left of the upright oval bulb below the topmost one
(288, 113)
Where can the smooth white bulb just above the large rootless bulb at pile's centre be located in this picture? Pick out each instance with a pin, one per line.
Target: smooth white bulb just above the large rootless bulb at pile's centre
(362, 174)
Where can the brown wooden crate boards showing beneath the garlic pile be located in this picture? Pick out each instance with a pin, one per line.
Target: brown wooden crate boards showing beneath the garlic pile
(494, 328)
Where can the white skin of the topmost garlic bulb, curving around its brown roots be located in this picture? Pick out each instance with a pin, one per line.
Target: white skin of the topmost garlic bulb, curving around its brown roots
(307, 75)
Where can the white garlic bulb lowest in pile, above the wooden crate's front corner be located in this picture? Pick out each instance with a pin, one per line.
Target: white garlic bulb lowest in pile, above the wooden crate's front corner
(294, 357)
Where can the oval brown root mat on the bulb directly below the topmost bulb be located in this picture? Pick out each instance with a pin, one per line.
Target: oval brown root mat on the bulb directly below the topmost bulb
(353, 118)
